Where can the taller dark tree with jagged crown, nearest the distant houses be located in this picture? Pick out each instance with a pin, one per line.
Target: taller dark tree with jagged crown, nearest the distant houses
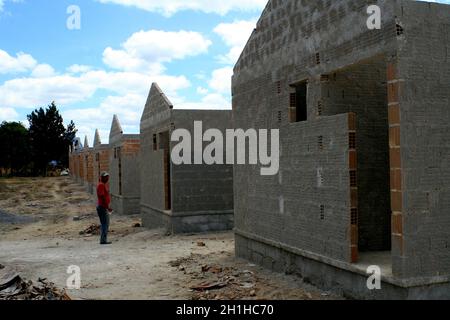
(49, 139)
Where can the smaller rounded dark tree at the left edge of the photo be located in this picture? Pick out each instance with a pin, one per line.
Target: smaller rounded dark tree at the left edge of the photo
(14, 146)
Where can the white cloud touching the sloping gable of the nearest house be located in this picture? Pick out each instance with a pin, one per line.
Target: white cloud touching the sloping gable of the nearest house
(235, 35)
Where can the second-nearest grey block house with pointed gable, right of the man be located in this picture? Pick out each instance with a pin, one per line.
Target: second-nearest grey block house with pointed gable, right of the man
(181, 198)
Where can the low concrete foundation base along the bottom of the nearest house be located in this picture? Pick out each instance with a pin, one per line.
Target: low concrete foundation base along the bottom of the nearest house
(347, 280)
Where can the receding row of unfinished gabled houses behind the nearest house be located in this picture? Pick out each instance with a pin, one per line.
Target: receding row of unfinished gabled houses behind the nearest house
(143, 179)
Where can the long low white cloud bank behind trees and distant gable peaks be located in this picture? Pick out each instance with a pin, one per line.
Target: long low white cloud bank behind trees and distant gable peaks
(128, 95)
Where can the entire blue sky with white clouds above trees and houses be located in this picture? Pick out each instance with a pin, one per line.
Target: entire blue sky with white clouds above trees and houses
(107, 66)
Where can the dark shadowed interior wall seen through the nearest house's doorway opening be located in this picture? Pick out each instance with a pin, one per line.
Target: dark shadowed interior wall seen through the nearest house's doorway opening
(362, 89)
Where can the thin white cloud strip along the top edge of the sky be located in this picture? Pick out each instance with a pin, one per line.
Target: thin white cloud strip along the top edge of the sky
(170, 7)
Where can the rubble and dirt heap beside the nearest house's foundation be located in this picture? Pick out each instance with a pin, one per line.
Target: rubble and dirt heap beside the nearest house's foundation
(218, 276)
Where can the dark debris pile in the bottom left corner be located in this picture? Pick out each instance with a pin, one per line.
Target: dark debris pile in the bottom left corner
(13, 287)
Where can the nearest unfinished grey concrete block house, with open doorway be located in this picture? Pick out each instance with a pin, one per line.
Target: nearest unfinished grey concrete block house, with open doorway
(365, 152)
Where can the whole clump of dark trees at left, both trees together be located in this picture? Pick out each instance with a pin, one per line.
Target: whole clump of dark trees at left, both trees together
(44, 144)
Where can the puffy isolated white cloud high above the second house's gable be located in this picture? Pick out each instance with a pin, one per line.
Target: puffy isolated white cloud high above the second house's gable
(147, 51)
